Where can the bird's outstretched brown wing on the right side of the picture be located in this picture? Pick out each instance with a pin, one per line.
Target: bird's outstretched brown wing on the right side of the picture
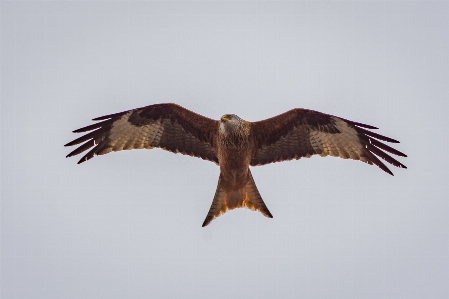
(302, 133)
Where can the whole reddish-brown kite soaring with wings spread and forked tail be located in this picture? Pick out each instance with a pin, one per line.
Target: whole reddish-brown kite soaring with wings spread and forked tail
(235, 144)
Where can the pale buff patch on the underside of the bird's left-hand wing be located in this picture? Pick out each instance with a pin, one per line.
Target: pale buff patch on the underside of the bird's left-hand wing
(125, 136)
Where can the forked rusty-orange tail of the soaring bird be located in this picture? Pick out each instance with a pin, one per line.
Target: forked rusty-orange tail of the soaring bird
(247, 197)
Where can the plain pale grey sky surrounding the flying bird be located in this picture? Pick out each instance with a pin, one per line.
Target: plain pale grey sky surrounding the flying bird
(128, 224)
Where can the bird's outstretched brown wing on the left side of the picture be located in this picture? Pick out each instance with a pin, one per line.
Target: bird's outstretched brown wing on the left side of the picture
(168, 126)
